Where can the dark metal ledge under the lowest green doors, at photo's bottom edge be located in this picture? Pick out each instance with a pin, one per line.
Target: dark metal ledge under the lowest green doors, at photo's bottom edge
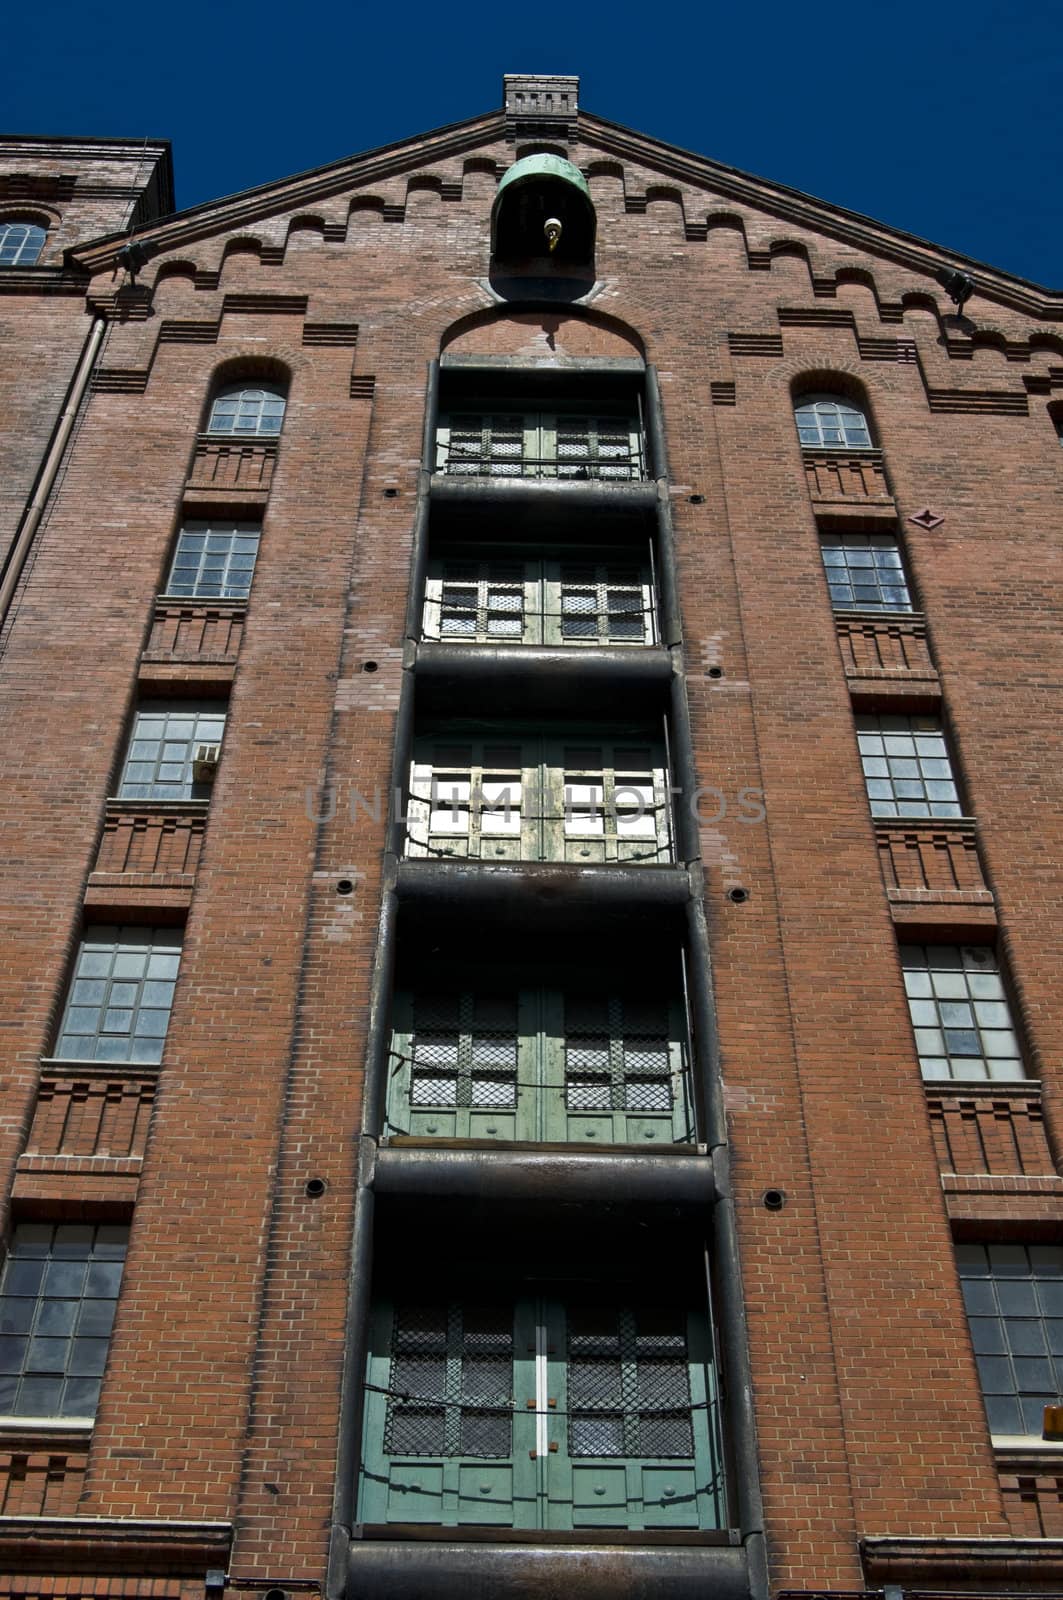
(428, 1570)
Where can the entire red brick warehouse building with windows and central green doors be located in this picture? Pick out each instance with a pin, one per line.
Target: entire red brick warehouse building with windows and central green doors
(532, 913)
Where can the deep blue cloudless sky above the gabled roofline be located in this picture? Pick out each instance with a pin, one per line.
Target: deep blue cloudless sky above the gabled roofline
(939, 119)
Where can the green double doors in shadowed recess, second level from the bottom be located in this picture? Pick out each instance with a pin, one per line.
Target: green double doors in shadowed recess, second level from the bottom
(500, 1063)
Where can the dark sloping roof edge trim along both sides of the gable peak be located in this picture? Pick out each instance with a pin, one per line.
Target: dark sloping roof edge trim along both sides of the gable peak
(614, 140)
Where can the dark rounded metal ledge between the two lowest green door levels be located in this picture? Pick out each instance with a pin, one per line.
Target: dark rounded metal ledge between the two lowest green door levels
(664, 1177)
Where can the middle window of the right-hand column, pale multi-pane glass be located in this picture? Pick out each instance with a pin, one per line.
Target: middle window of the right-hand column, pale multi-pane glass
(907, 767)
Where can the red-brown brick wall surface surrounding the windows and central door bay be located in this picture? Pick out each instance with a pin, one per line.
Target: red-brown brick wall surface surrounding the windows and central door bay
(223, 1390)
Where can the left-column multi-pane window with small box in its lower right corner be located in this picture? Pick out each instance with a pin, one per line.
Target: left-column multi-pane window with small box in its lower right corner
(170, 751)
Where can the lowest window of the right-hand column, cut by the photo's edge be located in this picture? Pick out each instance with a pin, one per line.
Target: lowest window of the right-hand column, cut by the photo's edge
(1014, 1298)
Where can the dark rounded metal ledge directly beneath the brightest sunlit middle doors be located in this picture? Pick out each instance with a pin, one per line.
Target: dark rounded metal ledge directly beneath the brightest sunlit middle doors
(544, 886)
